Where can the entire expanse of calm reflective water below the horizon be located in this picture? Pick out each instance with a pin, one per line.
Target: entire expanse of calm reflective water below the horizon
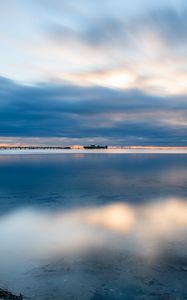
(41, 196)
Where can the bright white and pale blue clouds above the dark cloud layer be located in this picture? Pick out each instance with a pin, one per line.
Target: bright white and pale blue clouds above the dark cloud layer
(121, 45)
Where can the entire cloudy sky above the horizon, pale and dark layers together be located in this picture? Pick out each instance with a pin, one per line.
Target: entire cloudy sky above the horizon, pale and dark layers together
(93, 71)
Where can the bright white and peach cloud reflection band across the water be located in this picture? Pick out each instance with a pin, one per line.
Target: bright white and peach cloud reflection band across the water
(38, 233)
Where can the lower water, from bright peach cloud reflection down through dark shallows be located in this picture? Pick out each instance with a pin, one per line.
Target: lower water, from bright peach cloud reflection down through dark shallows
(102, 252)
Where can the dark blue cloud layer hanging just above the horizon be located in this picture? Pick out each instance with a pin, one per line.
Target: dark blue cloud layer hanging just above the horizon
(51, 110)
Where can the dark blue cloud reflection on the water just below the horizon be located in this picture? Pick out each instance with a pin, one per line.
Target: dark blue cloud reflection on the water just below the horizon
(56, 181)
